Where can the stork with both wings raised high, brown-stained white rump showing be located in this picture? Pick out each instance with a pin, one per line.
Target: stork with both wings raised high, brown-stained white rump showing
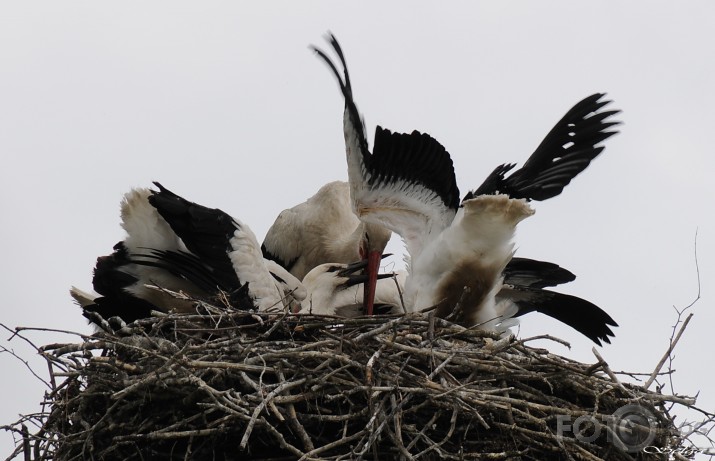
(459, 251)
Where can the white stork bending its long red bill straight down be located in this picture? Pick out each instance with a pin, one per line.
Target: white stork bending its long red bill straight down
(323, 229)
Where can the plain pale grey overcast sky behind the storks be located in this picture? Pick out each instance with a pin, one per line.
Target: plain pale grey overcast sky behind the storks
(224, 104)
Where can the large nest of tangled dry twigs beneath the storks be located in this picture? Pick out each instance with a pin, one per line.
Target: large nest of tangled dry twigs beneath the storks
(230, 384)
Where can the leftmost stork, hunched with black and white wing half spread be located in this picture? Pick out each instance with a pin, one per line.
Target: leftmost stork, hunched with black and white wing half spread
(182, 246)
